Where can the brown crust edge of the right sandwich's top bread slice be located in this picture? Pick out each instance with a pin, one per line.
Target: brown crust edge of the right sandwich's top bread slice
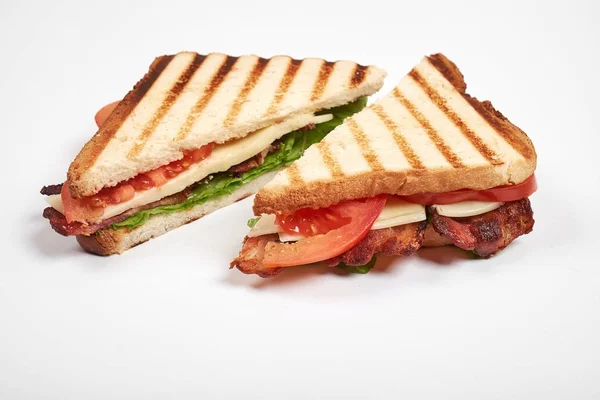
(319, 193)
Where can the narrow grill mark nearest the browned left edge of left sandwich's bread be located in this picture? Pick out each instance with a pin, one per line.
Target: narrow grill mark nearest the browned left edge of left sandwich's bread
(167, 104)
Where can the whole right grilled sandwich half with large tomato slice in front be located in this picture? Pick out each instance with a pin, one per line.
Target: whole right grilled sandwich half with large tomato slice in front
(425, 166)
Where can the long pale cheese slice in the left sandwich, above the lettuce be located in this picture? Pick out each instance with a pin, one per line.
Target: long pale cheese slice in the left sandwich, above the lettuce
(223, 157)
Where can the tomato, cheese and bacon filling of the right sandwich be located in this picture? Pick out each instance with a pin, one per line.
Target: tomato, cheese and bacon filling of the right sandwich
(350, 234)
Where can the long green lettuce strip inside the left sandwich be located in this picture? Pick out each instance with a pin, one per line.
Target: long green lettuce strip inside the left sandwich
(291, 148)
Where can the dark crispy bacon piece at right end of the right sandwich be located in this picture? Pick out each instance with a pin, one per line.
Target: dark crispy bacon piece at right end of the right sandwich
(487, 233)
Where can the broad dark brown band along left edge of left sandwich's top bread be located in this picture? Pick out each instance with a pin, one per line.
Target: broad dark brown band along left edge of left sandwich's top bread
(114, 122)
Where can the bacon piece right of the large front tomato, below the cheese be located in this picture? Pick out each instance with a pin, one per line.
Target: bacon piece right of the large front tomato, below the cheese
(400, 240)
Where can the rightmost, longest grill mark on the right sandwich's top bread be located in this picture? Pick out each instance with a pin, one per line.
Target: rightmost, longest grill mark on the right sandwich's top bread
(442, 104)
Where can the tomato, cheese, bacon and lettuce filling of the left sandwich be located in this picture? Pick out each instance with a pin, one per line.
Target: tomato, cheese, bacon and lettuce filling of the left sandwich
(202, 174)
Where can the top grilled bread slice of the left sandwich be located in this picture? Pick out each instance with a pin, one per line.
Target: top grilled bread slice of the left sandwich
(188, 100)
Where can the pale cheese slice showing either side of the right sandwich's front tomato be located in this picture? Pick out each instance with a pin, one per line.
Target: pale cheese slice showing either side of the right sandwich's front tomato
(396, 212)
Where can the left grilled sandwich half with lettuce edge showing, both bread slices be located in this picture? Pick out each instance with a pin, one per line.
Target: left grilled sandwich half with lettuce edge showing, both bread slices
(197, 133)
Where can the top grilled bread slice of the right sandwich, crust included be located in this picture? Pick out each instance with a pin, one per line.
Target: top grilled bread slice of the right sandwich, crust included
(427, 135)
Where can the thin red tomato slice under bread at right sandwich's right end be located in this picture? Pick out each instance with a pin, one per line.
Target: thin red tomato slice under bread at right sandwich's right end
(498, 194)
